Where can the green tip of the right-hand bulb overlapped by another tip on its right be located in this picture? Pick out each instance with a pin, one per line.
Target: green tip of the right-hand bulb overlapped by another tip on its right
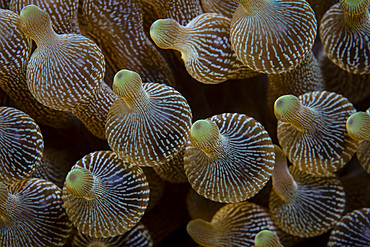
(285, 105)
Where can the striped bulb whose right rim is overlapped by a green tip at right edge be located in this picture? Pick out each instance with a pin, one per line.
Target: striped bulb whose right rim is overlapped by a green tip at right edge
(312, 131)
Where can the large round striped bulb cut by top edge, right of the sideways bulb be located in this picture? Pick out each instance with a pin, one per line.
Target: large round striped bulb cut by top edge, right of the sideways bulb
(272, 36)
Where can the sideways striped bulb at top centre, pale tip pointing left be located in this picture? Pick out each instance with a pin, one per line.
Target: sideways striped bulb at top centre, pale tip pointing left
(204, 46)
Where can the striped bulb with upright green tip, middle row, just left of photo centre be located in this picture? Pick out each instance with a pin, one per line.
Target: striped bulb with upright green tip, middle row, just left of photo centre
(149, 123)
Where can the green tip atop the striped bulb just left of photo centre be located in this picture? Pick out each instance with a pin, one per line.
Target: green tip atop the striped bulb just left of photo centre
(125, 82)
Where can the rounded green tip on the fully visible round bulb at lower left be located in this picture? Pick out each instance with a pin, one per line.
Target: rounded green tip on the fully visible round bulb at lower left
(79, 182)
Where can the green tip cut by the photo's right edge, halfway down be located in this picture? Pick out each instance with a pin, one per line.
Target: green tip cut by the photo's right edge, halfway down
(358, 126)
